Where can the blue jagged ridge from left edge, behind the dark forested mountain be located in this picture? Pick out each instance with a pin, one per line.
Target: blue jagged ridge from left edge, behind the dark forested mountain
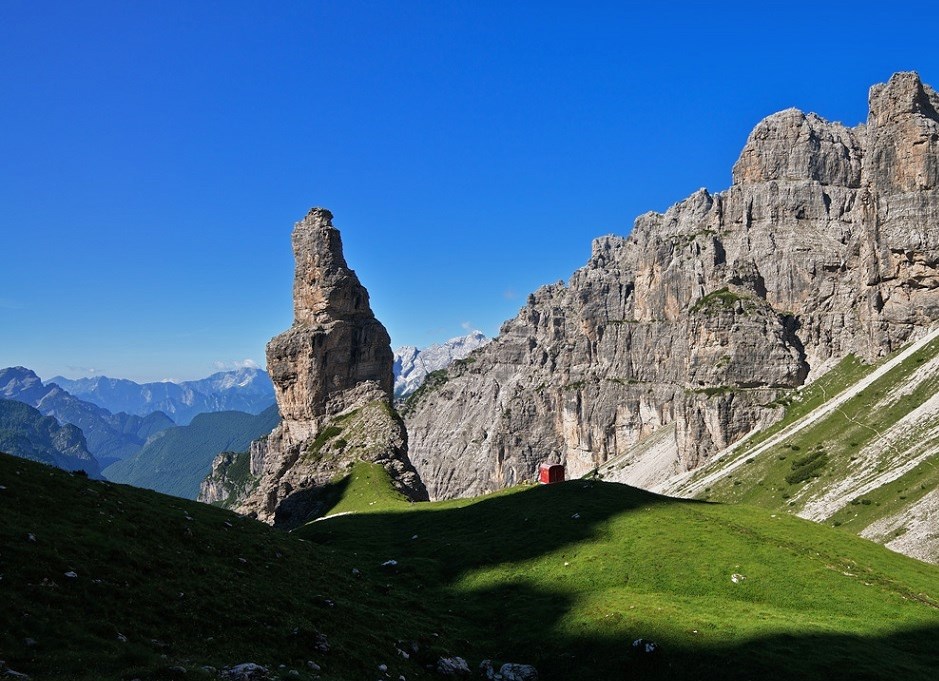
(109, 437)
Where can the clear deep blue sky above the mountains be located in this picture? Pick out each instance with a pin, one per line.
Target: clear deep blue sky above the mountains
(155, 155)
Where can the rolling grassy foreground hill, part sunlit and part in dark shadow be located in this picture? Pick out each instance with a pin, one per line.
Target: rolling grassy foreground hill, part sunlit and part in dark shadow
(564, 577)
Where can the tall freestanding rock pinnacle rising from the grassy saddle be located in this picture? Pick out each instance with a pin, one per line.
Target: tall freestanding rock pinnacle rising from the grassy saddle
(332, 374)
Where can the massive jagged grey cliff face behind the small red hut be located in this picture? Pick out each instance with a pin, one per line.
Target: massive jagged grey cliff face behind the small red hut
(689, 330)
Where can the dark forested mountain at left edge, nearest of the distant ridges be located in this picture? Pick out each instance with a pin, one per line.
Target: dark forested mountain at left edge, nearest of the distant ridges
(26, 433)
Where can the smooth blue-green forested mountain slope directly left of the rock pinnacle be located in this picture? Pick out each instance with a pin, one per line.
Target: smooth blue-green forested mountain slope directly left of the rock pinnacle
(176, 460)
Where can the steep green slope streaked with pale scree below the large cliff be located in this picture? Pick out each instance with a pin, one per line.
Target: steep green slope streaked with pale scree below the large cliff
(868, 462)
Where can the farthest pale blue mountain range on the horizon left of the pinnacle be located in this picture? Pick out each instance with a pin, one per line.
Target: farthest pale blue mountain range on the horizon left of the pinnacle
(249, 390)
